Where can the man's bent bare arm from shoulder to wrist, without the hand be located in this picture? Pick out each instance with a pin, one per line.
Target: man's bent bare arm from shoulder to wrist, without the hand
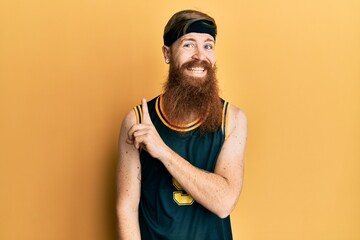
(218, 191)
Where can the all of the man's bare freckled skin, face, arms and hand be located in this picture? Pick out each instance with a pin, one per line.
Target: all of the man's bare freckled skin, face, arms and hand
(227, 178)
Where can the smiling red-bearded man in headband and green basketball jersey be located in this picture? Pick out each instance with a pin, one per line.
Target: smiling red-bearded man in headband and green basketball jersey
(181, 155)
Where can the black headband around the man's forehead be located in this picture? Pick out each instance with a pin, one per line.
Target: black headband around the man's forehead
(200, 26)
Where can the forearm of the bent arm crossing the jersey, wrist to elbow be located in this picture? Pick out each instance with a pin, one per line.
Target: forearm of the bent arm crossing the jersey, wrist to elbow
(211, 190)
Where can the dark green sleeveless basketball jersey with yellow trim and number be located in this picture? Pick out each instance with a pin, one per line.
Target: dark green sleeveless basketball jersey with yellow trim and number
(166, 211)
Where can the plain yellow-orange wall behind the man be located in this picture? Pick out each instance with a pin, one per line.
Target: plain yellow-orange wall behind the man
(70, 71)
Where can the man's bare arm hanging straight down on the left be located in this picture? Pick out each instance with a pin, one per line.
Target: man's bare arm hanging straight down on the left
(128, 181)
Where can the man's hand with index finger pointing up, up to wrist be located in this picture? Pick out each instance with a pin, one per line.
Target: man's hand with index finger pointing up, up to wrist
(145, 136)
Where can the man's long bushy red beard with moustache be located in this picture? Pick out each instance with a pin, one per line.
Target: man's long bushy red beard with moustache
(192, 97)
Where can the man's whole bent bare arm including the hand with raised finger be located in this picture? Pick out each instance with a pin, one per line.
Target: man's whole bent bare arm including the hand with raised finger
(218, 191)
